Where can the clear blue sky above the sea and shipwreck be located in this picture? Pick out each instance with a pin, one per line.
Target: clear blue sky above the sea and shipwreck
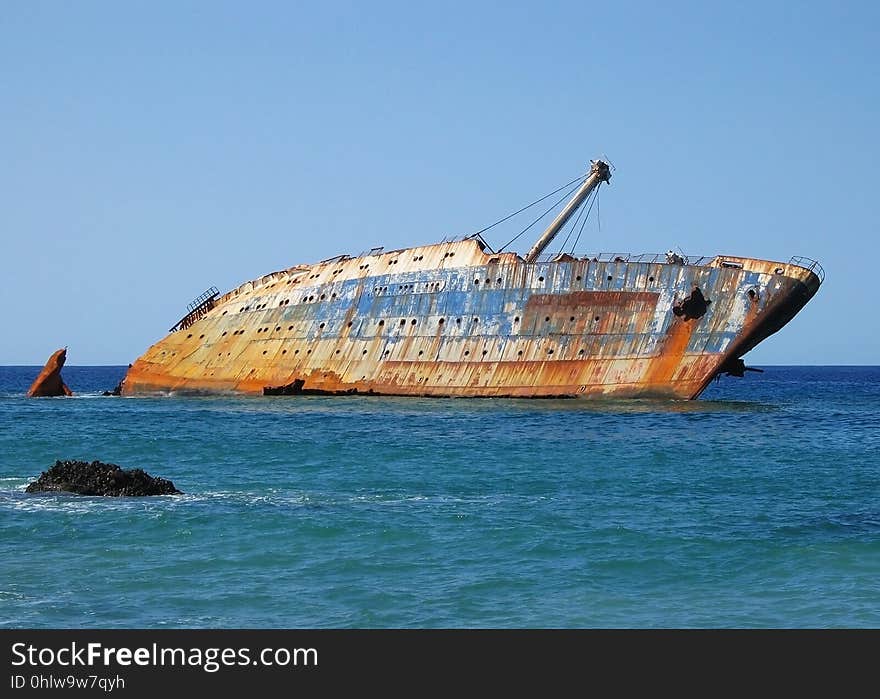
(149, 150)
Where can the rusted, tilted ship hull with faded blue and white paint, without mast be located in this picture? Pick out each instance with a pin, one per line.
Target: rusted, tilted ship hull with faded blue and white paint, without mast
(455, 319)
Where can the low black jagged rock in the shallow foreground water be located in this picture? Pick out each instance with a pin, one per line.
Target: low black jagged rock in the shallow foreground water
(98, 478)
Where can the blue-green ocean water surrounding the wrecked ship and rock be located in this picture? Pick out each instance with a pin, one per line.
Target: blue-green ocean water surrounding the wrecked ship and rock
(756, 506)
